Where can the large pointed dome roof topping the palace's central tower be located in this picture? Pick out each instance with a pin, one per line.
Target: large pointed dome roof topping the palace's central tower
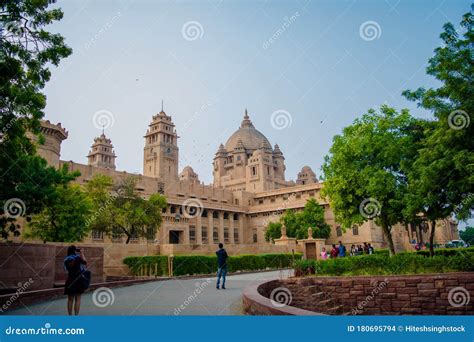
(251, 138)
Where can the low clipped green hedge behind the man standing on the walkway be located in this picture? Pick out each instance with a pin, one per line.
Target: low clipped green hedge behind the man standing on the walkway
(204, 264)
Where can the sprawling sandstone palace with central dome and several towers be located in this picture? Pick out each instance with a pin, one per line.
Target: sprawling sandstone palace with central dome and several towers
(249, 190)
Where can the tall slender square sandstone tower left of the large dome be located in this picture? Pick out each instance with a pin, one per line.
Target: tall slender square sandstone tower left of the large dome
(161, 153)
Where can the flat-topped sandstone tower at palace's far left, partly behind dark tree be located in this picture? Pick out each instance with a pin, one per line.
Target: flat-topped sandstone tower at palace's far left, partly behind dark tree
(53, 137)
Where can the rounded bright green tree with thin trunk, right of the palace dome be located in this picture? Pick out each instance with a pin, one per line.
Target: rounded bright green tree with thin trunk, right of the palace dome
(364, 174)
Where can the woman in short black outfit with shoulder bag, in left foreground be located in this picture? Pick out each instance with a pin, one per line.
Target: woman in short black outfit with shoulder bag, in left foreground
(74, 286)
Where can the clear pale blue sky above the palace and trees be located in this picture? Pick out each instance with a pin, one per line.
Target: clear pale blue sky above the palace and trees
(129, 55)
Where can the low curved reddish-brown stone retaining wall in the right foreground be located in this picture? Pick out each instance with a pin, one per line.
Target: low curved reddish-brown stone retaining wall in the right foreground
(427, 294)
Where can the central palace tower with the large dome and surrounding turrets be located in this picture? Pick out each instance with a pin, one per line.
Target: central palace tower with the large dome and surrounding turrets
(237, 166)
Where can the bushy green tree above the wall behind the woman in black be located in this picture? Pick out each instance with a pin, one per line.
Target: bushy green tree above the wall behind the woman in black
(64, 217)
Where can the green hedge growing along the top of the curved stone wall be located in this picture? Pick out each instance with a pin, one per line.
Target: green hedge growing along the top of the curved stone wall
(402, 263)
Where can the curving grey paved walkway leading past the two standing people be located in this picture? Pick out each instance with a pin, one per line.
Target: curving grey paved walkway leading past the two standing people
(197, 296)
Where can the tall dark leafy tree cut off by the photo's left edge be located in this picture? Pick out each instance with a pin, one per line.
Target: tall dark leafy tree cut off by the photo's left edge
(27, 51)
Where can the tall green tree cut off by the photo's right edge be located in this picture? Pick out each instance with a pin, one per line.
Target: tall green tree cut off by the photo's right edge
(442, 177)
